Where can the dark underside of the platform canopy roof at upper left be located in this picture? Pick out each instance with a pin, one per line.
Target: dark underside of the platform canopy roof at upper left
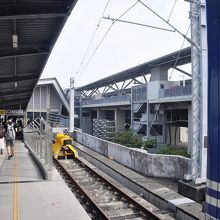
(28, 32)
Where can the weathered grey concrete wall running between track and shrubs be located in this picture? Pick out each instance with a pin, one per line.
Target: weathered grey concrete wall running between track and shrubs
(139, 160)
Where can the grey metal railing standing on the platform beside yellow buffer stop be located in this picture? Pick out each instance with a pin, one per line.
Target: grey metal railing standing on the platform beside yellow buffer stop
(38, 138)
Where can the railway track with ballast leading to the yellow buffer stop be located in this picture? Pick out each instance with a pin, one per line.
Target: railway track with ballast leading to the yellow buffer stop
(101, 198)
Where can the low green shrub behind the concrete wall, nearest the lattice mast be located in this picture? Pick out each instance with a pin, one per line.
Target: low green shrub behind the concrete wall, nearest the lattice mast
(169, 150)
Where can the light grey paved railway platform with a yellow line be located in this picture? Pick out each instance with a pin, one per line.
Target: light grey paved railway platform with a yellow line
(25, 195)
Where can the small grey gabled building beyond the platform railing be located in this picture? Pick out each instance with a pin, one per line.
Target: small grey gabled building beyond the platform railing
(48, 101)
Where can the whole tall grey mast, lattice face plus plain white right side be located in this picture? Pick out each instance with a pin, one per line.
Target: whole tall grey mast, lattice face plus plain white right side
(199, 89)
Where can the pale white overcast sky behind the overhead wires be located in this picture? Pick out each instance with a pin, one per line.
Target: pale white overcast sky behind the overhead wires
(124, 46)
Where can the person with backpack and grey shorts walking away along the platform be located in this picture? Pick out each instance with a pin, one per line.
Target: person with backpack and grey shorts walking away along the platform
(10, 139)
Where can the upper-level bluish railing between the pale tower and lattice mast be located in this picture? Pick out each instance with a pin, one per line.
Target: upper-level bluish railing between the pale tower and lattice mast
(175, 91)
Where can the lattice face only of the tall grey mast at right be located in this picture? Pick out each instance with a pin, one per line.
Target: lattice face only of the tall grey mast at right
(196, 89)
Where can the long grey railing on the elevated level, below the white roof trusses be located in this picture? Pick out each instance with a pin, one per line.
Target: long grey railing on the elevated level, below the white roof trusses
(105, 100)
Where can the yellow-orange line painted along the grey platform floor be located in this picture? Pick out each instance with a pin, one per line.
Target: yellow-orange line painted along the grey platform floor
(16, 208)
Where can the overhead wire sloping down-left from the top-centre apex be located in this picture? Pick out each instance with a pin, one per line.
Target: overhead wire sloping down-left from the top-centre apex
(103, 38)
